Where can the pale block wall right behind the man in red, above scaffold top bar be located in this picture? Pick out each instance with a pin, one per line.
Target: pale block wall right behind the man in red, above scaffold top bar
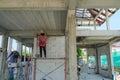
(55, 47)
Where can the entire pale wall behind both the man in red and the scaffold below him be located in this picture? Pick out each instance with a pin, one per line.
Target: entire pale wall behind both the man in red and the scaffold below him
(55, 48)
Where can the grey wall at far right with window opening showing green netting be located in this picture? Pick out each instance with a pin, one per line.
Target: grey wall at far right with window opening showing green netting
(101, 51)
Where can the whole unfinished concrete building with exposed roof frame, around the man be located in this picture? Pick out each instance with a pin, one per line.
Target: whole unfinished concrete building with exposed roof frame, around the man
(62, 21)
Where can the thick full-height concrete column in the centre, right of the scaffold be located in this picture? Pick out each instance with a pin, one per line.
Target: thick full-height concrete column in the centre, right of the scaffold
(72, 58)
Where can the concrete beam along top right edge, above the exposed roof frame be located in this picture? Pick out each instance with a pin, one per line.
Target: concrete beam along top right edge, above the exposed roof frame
(98, 4)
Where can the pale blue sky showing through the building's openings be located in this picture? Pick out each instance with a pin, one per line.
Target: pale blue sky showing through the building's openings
(114, 22)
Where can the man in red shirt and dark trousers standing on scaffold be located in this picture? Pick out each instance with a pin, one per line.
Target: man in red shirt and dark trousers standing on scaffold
(42, 38)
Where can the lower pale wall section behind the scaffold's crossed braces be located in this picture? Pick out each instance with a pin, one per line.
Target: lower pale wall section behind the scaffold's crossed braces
(50, 69)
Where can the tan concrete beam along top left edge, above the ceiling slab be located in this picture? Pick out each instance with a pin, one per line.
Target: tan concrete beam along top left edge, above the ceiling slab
(33, 4)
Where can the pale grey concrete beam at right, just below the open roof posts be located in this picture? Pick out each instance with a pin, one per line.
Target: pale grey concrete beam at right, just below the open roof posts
(98, 33)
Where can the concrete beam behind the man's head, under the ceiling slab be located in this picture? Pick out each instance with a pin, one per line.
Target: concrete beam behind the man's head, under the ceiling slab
(32, 33)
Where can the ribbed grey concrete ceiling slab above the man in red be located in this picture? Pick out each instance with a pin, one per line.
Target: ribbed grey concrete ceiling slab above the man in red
(32, 20)
